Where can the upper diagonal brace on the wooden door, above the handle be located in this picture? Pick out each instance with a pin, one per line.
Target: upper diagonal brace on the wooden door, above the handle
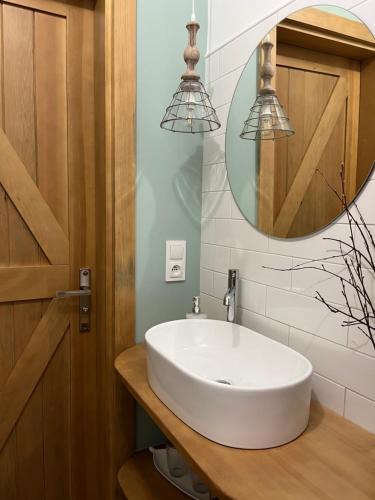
(29, 202)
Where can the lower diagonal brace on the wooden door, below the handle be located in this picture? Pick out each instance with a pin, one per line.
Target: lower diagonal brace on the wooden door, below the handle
(29, 368)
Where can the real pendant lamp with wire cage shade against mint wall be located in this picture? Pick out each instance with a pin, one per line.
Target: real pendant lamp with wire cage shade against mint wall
(191, 110)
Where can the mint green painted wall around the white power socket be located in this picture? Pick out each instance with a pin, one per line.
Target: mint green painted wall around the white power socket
(169, 172)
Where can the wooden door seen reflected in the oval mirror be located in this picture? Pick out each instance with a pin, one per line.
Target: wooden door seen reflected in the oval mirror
(321, 95)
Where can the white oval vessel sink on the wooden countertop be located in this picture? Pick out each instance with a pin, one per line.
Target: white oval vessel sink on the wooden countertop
(230, 384)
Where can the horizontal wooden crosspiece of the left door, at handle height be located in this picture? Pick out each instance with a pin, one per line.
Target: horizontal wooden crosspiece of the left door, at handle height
(32, 282)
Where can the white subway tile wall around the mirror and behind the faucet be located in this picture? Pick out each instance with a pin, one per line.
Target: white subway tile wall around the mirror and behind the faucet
(279, 304)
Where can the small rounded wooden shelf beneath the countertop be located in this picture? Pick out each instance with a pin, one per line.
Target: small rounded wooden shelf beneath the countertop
(139, 480)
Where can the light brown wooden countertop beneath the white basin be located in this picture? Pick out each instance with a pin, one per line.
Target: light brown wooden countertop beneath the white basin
(333, 460)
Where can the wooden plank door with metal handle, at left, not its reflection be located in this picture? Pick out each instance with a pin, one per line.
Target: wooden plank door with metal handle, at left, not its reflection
(47, 368)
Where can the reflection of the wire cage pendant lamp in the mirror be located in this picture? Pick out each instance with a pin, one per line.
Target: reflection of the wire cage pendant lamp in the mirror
(267, 119)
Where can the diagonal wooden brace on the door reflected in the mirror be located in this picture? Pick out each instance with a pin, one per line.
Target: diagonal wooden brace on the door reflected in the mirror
(311, 159)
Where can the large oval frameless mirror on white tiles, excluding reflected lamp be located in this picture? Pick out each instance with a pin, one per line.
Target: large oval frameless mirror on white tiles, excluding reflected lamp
(324, 62)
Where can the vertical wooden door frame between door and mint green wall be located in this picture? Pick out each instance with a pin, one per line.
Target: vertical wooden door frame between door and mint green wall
(115, 75)
